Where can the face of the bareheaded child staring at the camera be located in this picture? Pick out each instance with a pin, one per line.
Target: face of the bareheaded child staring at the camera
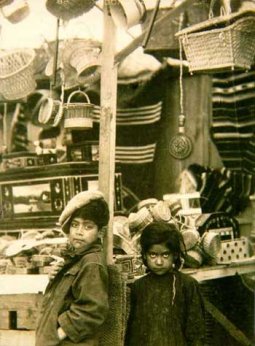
(159, 259)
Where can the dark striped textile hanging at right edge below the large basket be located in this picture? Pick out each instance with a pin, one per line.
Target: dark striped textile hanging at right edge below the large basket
(233, 125)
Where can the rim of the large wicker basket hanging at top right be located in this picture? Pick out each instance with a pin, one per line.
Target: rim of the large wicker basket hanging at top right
(207, 24)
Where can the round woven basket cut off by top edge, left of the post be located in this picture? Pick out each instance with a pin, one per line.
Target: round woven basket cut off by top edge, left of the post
(68, 9)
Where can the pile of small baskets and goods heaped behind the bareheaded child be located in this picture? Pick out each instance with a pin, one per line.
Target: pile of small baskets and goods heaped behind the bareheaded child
(209, 239)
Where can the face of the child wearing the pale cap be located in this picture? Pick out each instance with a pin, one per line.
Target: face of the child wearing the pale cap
(82, 232)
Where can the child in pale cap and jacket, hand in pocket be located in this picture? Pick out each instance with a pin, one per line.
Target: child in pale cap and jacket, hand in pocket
(75, 303)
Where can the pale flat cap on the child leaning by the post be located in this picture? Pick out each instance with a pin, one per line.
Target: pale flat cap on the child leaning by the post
(80, 200)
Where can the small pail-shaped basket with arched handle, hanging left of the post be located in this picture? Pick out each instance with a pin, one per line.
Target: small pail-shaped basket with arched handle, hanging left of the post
(78, 115)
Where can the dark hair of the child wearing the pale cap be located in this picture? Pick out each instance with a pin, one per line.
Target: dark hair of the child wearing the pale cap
(96, 210)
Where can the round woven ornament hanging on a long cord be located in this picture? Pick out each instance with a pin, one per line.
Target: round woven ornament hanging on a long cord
(180, 146)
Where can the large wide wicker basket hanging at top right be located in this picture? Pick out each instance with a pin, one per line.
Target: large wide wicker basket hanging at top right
(226, 47)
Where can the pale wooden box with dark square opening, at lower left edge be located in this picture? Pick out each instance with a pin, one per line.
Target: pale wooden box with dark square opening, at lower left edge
(19, 311)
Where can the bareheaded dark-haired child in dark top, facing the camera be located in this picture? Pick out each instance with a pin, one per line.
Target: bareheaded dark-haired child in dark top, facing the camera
(166, 305)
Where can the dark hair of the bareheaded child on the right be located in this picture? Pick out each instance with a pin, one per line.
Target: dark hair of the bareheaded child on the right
(161, 232)
